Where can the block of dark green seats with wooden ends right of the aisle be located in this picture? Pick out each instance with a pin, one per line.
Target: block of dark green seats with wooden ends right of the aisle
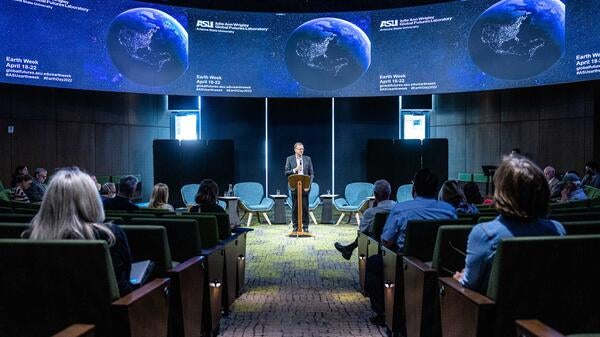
(553, 279)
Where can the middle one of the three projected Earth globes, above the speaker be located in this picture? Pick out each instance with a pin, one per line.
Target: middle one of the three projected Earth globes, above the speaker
(327, 53)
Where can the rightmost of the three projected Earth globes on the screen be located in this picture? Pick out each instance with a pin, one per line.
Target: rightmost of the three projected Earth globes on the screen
(518, 39)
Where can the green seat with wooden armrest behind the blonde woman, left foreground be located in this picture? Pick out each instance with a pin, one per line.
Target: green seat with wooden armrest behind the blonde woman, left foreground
(53, 284)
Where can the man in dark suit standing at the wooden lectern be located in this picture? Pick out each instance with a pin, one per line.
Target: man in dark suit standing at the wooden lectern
(300, 164)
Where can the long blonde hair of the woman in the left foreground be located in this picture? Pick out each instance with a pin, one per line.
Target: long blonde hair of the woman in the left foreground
(71, 209)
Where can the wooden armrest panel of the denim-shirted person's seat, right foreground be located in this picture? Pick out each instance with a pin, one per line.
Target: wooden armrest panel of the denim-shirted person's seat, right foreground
(464, 312)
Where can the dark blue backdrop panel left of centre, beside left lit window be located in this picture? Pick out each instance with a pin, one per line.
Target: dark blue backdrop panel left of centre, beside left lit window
(243, 121)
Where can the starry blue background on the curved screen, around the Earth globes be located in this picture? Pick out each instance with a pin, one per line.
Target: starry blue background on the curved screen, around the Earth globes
(74, 42)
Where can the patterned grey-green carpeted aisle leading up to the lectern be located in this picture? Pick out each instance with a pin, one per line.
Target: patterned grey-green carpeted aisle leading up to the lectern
(300, 287)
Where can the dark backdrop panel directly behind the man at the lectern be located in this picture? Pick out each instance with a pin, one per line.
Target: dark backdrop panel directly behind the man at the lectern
(304, 120)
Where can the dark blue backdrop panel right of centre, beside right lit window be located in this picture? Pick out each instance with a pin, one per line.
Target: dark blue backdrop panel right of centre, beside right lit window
(356, 121)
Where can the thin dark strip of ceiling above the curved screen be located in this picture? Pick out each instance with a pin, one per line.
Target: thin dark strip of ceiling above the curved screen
(297, 5)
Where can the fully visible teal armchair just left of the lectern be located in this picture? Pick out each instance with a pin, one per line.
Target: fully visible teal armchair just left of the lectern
(253, 200)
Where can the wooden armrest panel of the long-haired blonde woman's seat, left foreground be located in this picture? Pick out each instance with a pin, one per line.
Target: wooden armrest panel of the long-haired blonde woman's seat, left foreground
(143, 312)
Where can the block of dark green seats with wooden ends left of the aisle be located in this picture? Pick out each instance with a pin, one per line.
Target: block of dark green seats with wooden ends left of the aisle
(184, 298)
